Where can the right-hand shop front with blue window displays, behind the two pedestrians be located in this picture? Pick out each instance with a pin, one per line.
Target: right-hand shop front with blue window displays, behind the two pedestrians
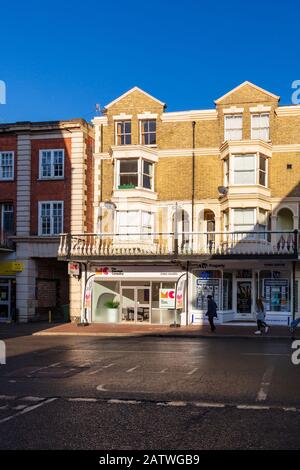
(236, 286)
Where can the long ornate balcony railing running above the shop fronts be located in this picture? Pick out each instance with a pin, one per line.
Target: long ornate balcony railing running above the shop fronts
(162, 244)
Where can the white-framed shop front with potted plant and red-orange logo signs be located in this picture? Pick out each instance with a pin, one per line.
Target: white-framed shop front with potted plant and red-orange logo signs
(139, 294)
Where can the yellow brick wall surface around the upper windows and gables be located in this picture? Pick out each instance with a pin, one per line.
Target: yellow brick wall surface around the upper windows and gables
(173, 175)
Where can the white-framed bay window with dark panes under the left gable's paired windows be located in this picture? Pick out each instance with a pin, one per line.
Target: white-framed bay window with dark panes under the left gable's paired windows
(134, 173)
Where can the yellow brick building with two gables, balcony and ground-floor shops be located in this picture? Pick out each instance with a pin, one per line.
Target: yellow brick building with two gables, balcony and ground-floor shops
(211, 195)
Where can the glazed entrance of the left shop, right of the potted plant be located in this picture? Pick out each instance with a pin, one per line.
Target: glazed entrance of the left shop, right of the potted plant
(135, 304)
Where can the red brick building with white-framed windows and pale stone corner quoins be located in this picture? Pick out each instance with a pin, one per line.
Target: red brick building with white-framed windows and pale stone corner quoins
(44, 190)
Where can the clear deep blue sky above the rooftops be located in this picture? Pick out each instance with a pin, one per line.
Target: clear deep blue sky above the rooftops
(60, 58)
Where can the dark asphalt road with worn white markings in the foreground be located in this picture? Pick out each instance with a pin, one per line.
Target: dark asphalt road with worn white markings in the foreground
(149, 393)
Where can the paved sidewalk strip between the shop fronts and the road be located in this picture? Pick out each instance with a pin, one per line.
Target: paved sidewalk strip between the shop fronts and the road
(110, 330)
